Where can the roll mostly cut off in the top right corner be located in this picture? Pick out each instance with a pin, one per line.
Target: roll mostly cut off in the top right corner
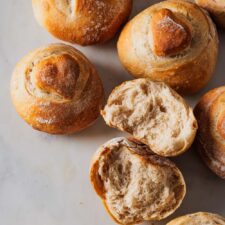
(216, 8)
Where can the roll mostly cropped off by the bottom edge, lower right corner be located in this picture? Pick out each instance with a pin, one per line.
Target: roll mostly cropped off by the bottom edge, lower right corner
(201, 218)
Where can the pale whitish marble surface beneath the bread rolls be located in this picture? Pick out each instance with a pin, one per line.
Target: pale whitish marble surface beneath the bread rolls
(43, 178)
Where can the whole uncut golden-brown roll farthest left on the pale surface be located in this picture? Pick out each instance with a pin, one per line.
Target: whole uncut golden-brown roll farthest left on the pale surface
(56, 89)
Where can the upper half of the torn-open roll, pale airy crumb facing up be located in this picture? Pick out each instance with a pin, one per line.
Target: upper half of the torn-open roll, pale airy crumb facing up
(154, 114)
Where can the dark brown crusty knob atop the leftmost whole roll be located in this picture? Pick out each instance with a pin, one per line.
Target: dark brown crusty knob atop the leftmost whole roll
(58, 75)
